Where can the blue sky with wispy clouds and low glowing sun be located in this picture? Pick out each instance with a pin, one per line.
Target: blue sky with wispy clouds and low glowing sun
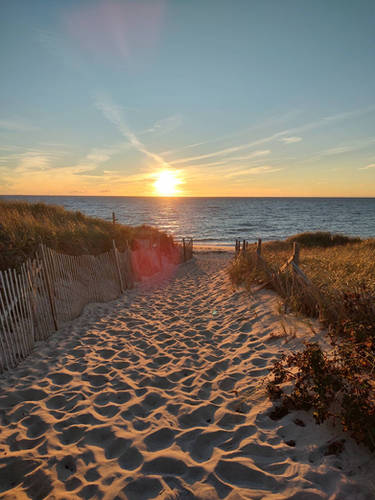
(187, 97)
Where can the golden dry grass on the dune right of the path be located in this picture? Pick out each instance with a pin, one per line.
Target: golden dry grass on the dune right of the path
(336, 266)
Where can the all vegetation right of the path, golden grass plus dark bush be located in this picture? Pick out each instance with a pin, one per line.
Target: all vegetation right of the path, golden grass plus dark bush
(338, 385)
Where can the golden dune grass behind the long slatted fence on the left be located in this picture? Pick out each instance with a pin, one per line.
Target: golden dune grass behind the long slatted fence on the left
(23, 226)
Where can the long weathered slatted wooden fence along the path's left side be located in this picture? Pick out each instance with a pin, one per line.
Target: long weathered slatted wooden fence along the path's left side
(53, 288)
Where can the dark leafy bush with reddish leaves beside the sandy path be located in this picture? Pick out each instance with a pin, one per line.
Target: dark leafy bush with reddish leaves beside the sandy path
(327, 384)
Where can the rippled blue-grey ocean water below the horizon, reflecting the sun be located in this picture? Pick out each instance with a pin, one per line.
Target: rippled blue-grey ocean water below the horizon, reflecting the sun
(219, 221)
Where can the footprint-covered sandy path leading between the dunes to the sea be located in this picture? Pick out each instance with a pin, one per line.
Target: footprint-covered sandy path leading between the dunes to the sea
(160, 394)
